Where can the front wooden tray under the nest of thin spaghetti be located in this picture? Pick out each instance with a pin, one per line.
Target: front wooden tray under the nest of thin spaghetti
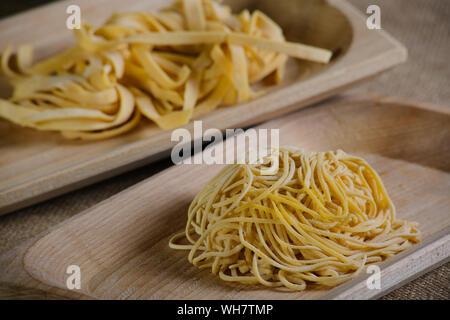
(121, 244)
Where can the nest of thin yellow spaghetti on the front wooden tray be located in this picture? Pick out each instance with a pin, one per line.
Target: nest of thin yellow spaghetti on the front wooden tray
(319, 219)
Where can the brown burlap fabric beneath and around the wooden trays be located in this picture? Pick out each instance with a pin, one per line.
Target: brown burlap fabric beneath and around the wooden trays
(422, 26)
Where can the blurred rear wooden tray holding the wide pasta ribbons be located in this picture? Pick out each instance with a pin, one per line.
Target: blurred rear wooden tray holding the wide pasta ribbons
(35, 166)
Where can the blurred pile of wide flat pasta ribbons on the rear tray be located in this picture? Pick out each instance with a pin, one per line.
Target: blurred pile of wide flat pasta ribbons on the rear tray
(170, 66)
